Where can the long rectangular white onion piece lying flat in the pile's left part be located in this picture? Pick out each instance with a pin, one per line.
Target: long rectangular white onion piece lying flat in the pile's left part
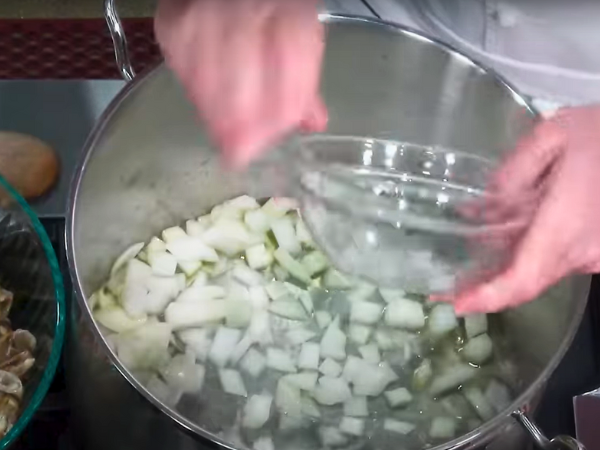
(195, 314)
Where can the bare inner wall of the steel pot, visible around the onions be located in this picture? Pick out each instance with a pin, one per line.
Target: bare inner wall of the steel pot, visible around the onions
(149, 165)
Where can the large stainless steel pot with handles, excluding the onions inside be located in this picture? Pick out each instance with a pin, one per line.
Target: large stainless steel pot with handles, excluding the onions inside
(148, 165)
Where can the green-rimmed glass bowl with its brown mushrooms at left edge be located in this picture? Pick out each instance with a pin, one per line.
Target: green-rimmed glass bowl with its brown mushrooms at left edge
(32, 314)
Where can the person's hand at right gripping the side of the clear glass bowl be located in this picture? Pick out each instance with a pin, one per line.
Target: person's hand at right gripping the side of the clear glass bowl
(563, 156)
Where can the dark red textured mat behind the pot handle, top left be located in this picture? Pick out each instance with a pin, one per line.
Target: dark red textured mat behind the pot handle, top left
(70, 49)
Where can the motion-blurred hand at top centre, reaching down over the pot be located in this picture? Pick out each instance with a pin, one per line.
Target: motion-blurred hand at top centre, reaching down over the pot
(251, 67)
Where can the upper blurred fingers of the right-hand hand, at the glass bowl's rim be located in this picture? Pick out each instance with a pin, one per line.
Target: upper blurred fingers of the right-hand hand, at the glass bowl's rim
(531, 158)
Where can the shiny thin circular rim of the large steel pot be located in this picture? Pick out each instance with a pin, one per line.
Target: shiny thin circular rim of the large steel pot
(487, 430)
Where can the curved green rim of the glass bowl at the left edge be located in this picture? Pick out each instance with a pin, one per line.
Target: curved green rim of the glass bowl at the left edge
(59, 329)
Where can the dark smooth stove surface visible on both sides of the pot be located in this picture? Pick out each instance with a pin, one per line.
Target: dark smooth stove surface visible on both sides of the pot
(63, 113)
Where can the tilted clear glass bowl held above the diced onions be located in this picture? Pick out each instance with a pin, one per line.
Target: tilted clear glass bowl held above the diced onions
(403, 215)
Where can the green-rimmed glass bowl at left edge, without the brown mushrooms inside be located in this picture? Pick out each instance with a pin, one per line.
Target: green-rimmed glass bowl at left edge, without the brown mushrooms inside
(30, 270)
